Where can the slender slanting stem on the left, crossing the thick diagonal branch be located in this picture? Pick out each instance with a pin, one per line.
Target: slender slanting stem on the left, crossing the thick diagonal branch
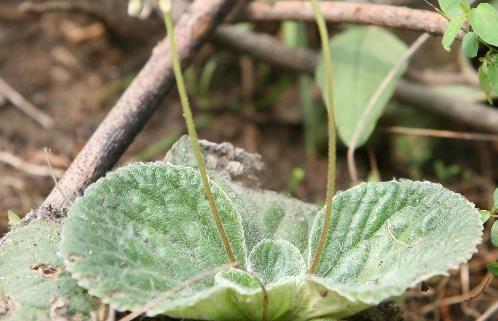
(187, 113)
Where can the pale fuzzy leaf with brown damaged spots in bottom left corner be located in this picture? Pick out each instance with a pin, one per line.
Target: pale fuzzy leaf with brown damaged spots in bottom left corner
(33, 282)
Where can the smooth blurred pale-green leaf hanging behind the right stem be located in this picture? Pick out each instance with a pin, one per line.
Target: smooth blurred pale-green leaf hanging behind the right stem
(362, 57)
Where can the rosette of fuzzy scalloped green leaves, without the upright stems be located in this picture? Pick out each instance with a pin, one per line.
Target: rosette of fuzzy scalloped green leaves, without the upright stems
(145, 230)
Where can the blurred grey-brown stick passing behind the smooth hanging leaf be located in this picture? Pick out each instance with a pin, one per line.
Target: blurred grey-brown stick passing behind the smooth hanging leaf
(264, 48)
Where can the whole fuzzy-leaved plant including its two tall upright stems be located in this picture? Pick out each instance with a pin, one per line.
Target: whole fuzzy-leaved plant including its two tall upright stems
(164, 239)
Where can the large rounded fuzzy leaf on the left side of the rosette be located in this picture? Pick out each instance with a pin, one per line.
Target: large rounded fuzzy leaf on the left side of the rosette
(146, 228)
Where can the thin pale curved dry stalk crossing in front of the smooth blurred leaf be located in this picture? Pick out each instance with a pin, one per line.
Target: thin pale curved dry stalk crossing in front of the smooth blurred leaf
(360, 126)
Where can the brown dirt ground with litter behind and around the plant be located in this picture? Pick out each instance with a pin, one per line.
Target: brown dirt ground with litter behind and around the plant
(74, 66)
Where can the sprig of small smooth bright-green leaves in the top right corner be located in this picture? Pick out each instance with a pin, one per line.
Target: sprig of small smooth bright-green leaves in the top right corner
(481, 32)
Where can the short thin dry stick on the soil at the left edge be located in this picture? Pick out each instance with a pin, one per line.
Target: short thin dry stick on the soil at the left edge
(25, 106)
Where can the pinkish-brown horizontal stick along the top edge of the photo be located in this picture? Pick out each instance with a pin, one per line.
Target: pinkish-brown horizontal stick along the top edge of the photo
(342, 12)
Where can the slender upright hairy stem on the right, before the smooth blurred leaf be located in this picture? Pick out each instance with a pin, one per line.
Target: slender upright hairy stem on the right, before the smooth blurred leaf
(324, 36)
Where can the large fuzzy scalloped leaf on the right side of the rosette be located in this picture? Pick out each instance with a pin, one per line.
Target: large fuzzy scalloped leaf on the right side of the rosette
(386, 237)
